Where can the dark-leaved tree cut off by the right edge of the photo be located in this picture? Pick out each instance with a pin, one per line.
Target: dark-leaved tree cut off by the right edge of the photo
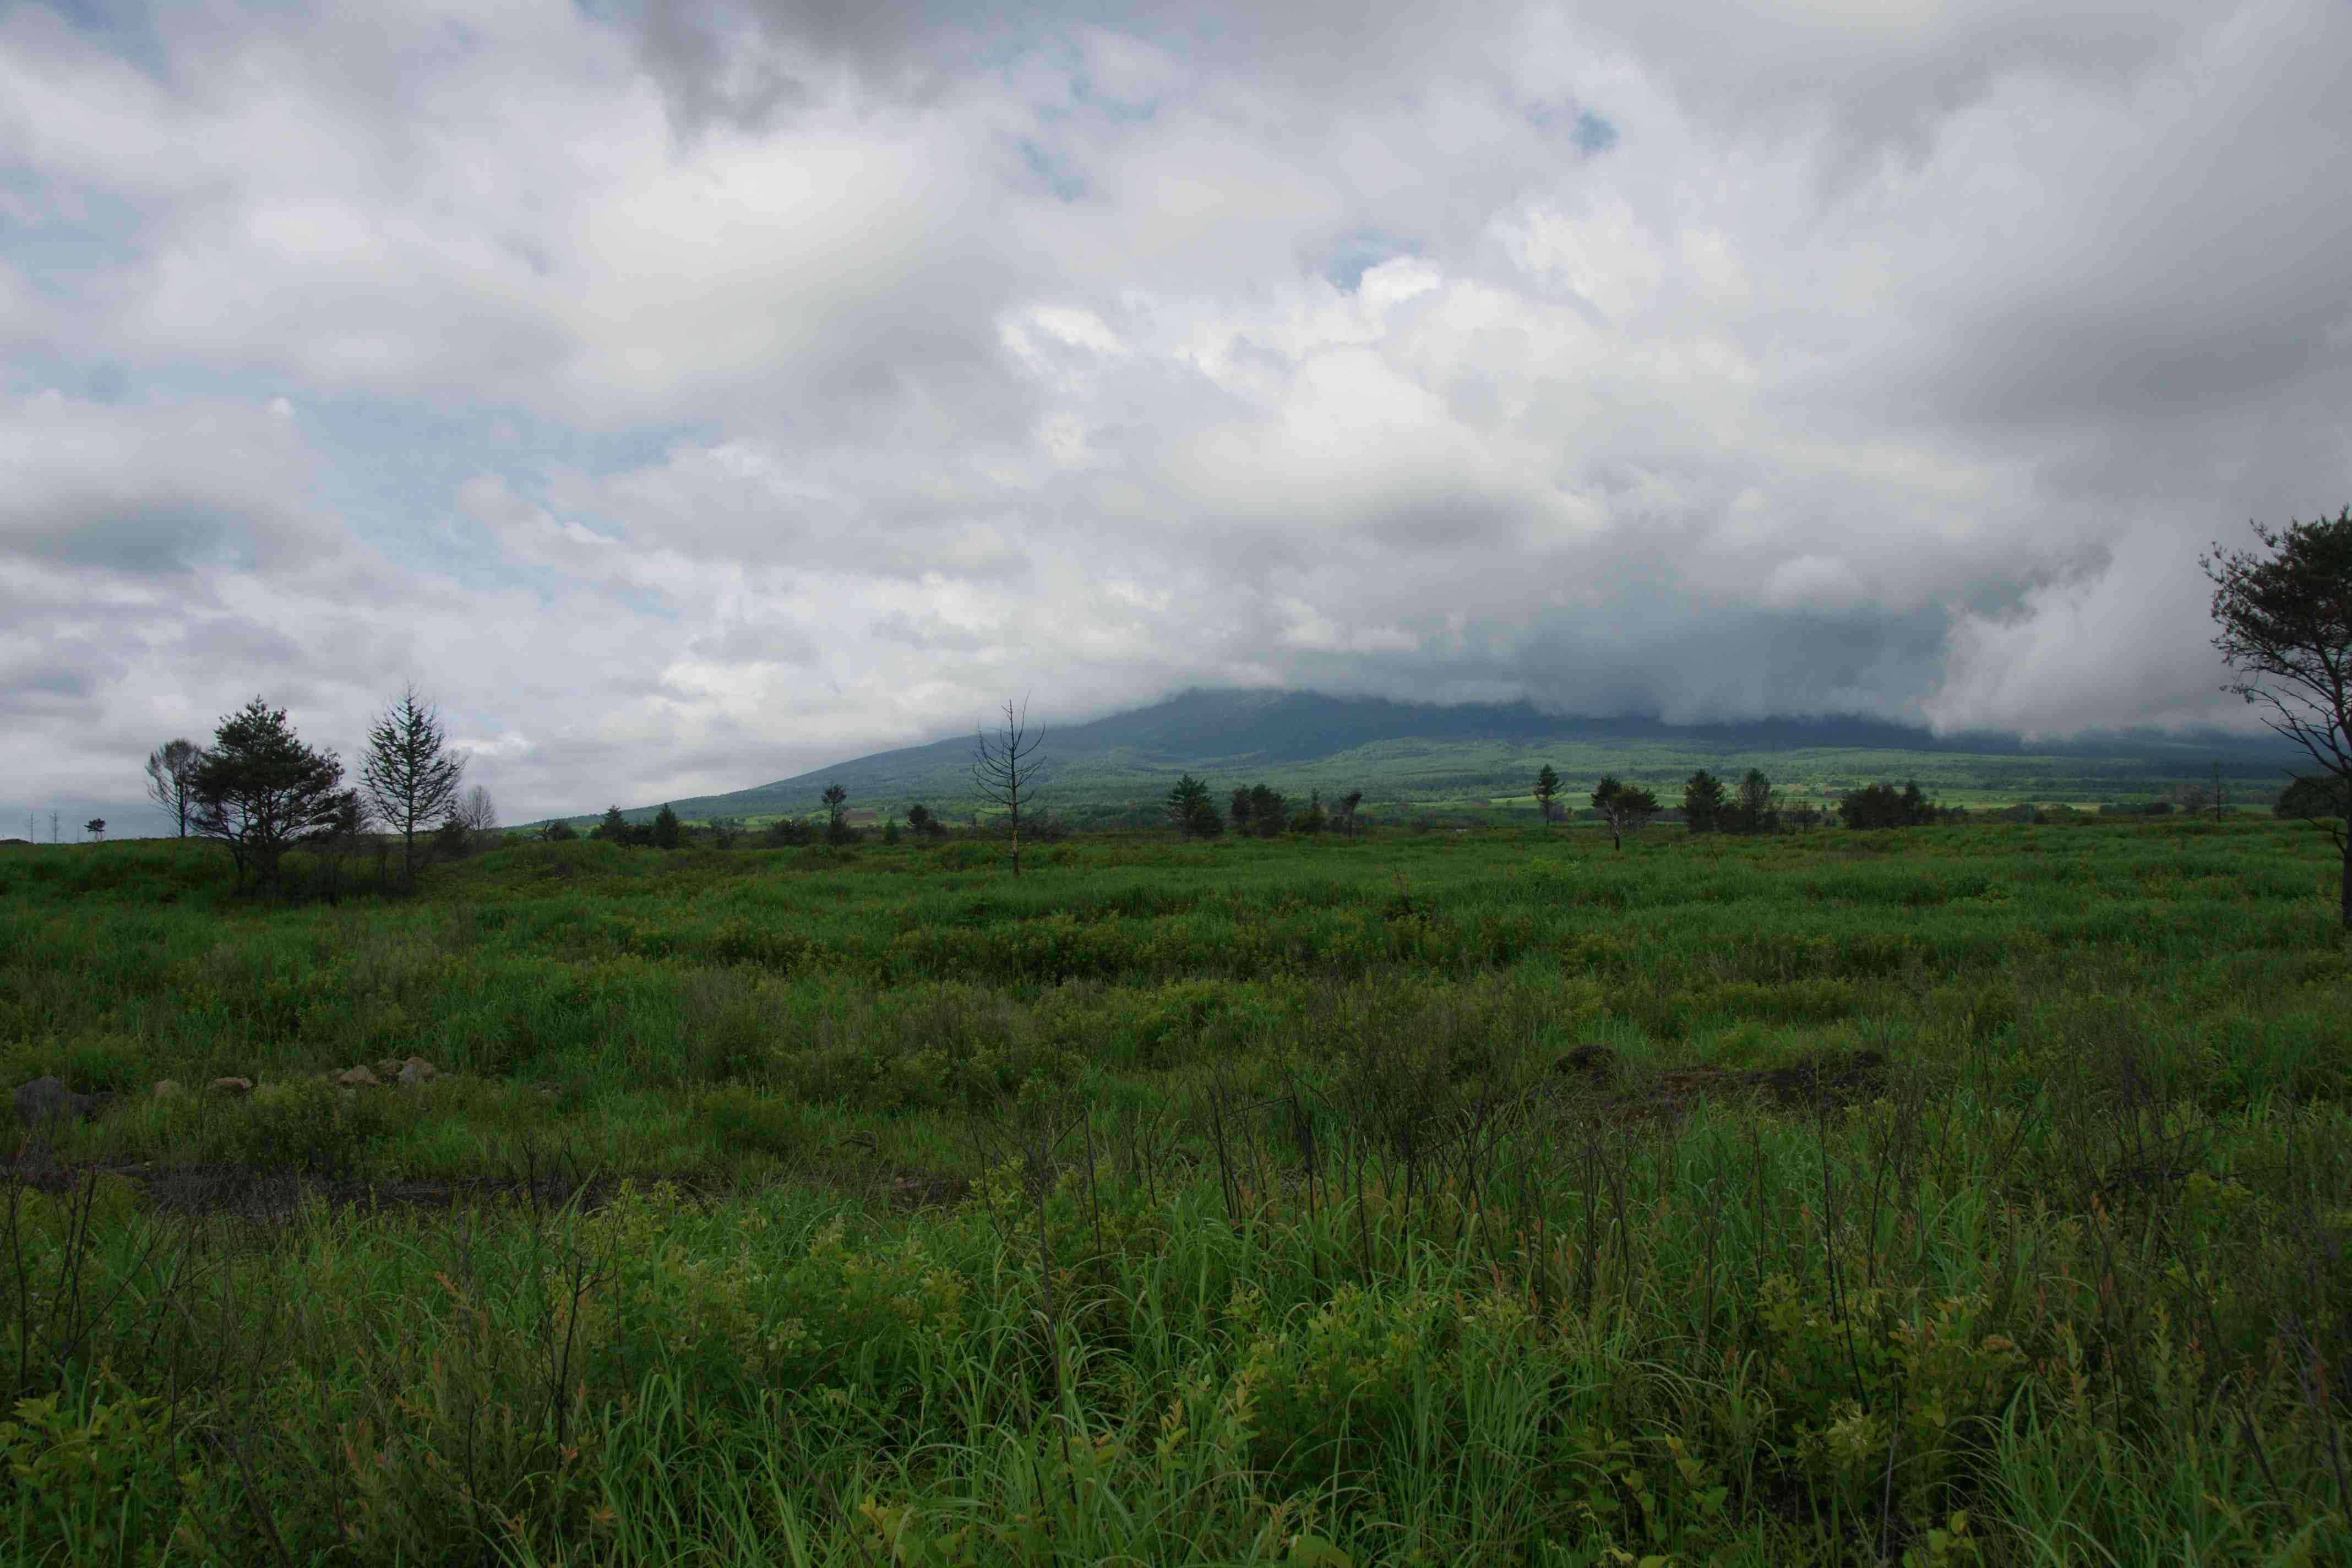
(2285, 629)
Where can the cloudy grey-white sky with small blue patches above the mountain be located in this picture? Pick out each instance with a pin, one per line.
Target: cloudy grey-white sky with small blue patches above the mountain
(690, 396)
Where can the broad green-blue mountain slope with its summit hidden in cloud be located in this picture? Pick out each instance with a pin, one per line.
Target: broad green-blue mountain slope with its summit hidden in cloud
(1471, 756)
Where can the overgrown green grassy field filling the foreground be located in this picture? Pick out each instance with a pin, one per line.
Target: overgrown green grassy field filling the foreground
(1909, 1198)
